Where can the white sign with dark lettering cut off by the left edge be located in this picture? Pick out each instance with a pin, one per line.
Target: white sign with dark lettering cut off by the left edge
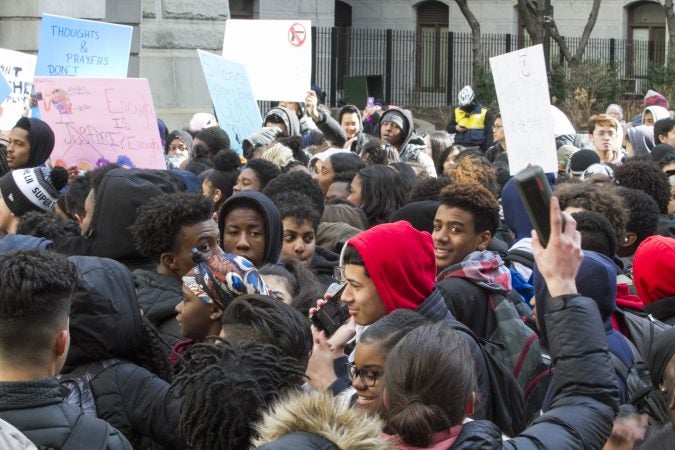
(18, 69)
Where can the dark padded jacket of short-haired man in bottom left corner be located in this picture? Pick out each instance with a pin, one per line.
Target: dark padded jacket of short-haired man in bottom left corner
(36, 408)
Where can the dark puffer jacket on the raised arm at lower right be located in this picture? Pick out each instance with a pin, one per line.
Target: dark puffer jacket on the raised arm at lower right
(585, 397)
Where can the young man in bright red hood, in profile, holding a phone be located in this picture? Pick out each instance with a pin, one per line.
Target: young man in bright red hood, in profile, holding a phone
(392, 266)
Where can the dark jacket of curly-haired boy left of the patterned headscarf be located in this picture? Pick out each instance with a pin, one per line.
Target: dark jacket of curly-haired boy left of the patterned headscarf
(158, 296)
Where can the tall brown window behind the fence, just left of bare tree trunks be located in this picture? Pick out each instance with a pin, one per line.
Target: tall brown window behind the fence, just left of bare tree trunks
(432, 45)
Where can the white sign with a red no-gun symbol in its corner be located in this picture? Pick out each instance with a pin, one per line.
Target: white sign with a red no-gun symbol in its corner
(277, 55)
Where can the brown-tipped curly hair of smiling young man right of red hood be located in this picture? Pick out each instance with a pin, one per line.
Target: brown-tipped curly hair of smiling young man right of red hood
(477, 201)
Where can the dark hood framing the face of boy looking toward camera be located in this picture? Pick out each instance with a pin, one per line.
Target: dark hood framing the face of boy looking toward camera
(273, 228)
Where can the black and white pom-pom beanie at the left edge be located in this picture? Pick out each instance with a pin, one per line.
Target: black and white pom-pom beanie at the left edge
(35, 189)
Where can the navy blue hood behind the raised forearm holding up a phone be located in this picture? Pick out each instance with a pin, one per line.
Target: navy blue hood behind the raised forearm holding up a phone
(596, 280)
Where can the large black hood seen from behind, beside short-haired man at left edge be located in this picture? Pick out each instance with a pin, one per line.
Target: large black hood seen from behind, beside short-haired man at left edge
(105, 319)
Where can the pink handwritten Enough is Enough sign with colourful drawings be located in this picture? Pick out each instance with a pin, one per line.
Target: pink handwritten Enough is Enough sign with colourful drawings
(101, 120)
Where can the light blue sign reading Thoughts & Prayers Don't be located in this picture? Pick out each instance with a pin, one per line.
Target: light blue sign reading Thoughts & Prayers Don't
(82, 48)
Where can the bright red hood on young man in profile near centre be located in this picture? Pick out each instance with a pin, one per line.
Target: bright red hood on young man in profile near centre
(400, 260)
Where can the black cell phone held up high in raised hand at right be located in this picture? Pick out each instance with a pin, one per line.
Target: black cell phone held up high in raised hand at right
(535, 193)
